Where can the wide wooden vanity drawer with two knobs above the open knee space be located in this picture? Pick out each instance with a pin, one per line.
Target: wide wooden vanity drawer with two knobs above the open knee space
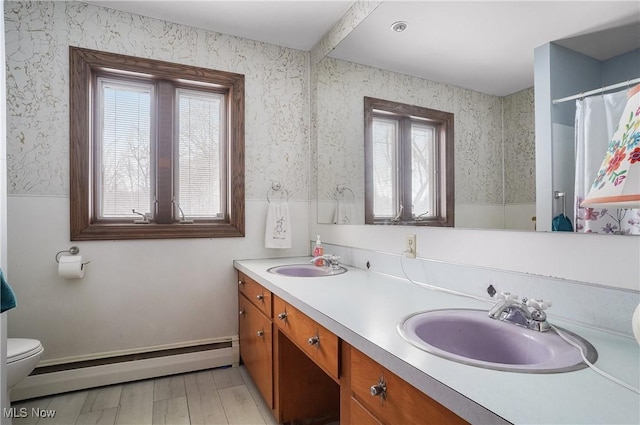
(315, 341)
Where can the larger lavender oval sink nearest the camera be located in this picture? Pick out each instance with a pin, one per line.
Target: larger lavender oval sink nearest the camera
(472, 337)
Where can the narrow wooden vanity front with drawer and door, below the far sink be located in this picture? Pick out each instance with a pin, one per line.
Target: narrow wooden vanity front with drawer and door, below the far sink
(256, 334)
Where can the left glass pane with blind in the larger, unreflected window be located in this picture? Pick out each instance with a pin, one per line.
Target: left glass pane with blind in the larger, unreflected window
(124, 122)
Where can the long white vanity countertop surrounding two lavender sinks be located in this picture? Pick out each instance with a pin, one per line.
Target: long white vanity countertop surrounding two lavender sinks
(363, 308)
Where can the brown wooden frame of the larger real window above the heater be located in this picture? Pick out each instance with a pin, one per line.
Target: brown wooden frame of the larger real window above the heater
(84, 65)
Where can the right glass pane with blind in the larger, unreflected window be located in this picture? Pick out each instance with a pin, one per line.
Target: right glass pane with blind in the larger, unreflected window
(201, 141)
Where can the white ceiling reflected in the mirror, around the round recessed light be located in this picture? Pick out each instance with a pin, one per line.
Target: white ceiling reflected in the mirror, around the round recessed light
(480, 45)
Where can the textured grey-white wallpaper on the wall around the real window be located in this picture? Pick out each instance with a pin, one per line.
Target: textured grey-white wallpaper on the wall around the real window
(38, 36)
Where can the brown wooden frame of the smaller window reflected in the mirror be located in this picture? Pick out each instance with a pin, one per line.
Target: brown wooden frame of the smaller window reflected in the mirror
(443, 121)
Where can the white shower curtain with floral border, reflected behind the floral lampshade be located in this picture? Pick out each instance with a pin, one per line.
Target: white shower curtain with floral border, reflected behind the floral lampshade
(596, 120)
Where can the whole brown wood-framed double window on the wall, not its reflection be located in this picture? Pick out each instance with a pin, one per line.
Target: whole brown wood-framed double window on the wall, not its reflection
(156, 148)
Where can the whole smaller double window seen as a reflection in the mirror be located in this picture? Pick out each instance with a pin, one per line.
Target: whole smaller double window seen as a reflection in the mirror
(409, 164)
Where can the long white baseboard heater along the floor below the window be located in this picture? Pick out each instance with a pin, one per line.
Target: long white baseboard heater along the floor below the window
(73, 379)
